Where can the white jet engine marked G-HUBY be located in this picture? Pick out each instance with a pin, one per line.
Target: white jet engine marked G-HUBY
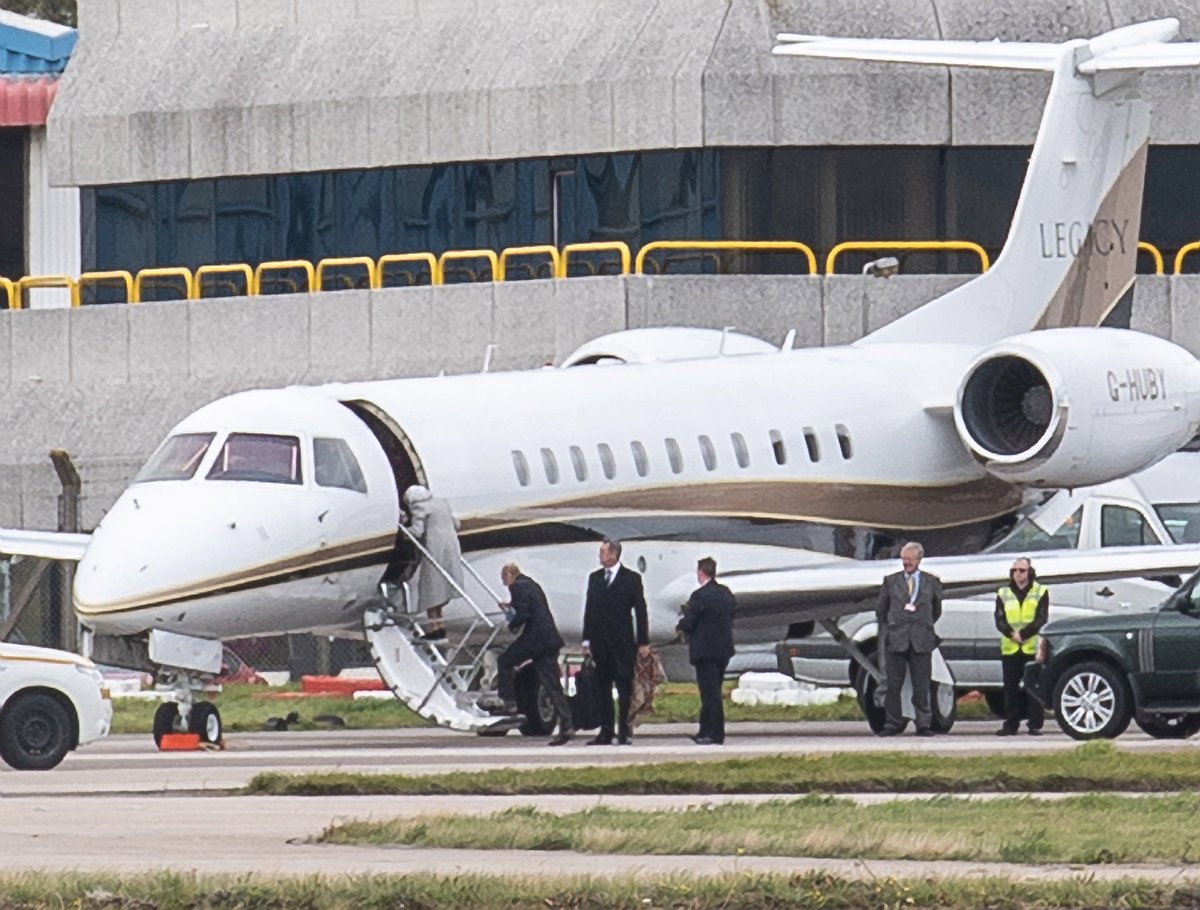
(1076, 408)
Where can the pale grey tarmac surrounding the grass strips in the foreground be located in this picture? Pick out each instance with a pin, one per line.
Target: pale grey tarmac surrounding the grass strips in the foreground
(121, 806)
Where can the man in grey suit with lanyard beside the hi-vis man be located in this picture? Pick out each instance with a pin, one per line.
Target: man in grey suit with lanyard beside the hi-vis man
(910, 604)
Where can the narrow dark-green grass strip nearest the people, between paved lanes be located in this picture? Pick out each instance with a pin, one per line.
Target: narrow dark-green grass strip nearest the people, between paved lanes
(1091, 767)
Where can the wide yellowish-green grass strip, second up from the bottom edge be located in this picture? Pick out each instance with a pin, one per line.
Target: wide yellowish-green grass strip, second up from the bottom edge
(1094, 829)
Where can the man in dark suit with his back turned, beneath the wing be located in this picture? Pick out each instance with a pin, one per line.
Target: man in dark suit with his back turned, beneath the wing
(709, 624)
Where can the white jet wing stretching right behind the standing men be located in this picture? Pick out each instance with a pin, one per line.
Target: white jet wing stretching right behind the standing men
(845, 588)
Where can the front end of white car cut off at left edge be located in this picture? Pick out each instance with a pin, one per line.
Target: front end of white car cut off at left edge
(51, 702)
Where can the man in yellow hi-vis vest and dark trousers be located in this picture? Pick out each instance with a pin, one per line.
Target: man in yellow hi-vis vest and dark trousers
(1023, 608)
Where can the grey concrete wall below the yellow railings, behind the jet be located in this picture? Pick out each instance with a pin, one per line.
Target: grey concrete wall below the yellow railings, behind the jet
(107, 384)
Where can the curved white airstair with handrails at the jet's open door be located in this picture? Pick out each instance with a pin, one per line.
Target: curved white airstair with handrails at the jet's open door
(437, 680)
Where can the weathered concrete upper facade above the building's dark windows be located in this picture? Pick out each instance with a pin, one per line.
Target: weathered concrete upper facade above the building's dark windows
(171, 89)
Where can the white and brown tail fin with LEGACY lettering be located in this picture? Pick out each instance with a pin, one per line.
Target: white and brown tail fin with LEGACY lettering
(1073, 244)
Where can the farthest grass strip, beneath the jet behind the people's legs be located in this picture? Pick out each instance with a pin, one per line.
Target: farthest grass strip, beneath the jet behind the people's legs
(245, 709)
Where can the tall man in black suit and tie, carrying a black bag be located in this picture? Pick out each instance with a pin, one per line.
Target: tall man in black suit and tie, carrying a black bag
(615, 604)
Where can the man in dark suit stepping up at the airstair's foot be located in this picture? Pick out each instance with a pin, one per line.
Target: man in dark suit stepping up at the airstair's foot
(539, 644)
